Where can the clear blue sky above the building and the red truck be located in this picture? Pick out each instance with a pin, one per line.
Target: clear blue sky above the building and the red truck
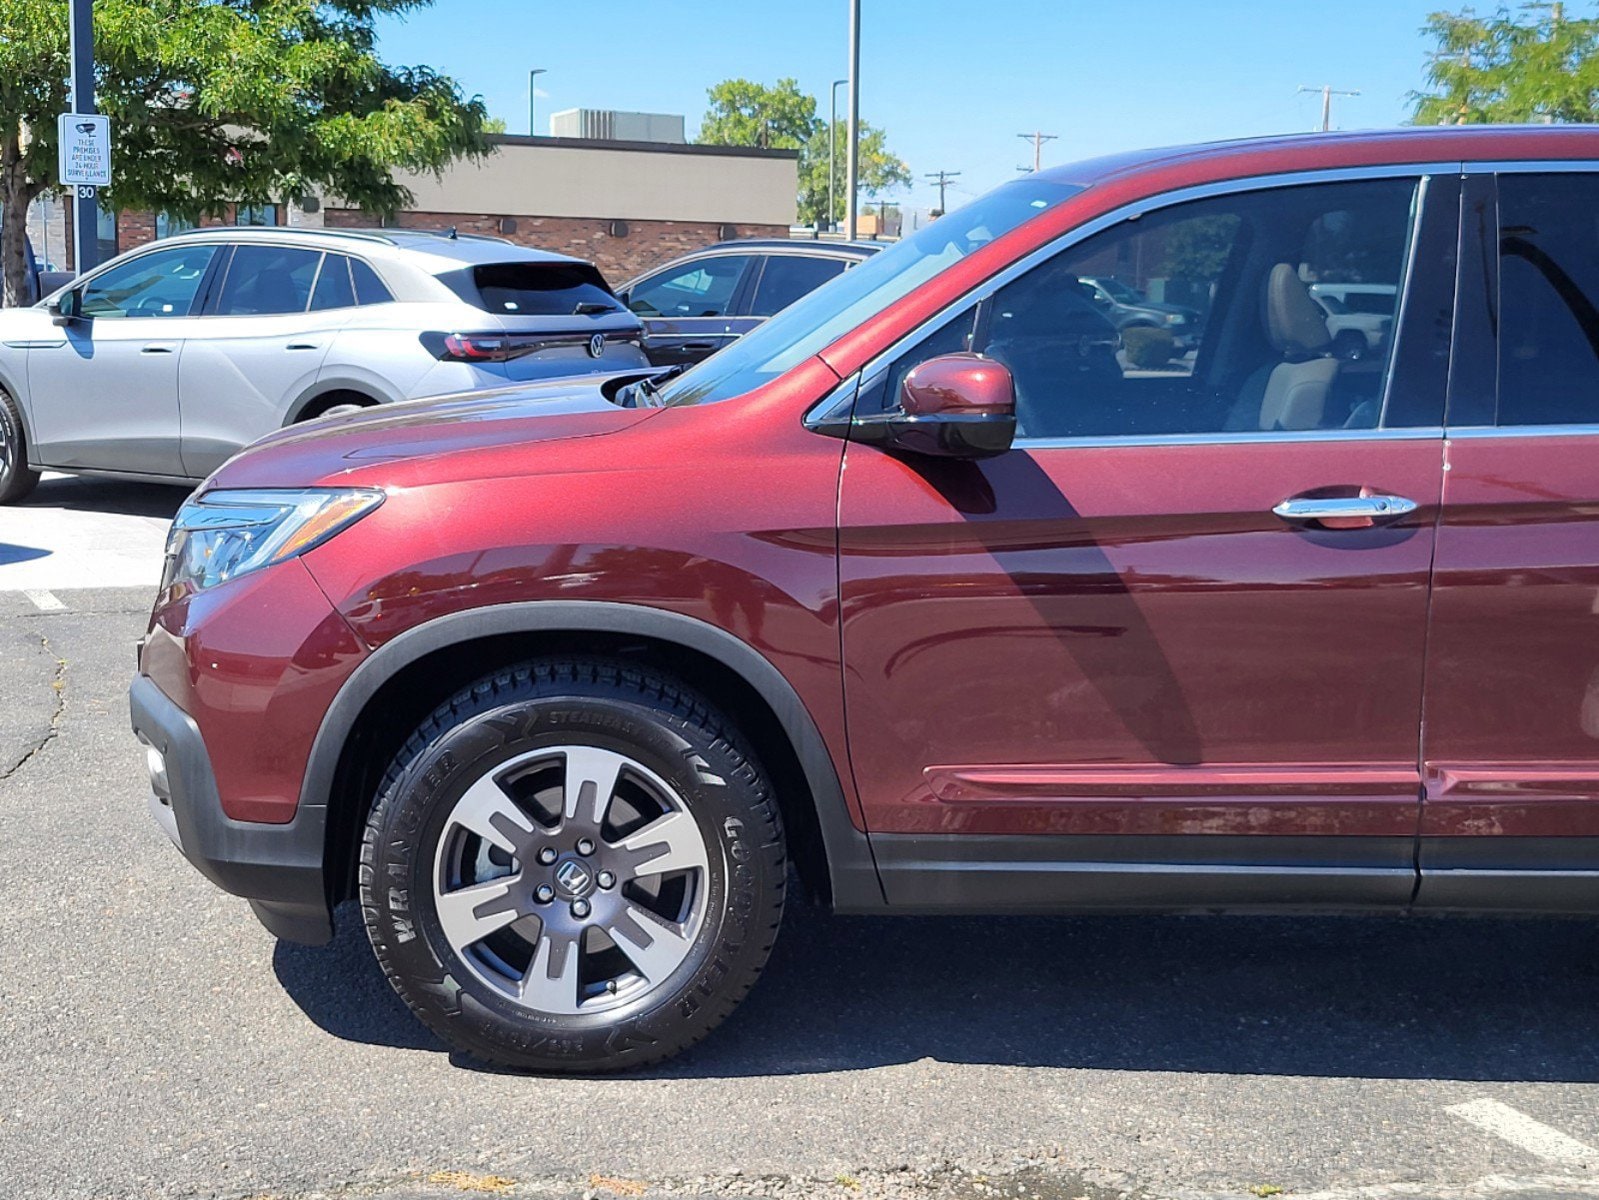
(951, 81)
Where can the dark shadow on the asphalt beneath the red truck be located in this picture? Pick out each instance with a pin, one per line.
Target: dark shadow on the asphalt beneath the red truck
(1384, 998)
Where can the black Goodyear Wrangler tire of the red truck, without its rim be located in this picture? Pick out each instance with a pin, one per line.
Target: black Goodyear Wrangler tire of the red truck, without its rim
(588, 703)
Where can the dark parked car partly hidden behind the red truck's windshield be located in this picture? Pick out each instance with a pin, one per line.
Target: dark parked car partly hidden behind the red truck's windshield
(700, 303)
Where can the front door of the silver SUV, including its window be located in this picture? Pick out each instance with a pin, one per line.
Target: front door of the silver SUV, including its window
(105, 391)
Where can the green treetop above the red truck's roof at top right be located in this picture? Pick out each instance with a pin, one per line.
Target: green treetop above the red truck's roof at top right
(1536, 65)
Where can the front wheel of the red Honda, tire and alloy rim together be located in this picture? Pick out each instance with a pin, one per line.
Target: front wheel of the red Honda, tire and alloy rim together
(573, 866)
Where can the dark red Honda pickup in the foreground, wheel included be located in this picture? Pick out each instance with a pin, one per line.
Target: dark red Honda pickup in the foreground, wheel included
(951, 586)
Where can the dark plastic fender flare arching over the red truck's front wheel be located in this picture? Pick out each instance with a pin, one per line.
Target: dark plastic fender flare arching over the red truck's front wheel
(851, 866)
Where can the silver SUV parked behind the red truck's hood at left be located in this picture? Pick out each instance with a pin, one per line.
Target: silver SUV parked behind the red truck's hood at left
(169, 359)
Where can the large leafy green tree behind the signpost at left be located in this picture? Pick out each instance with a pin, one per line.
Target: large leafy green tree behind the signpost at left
(228, 102)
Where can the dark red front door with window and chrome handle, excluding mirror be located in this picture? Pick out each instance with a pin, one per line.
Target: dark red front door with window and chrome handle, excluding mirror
(1182, 623)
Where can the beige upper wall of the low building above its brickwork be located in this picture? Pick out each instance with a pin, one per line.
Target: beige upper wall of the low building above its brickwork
(631, 182)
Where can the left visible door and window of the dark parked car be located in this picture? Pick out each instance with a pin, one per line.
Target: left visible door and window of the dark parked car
(688, 310)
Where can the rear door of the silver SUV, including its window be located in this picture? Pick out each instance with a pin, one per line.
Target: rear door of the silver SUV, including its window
(260, 350)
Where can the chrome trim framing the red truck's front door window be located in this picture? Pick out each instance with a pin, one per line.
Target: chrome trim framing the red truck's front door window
(1256, 183)
